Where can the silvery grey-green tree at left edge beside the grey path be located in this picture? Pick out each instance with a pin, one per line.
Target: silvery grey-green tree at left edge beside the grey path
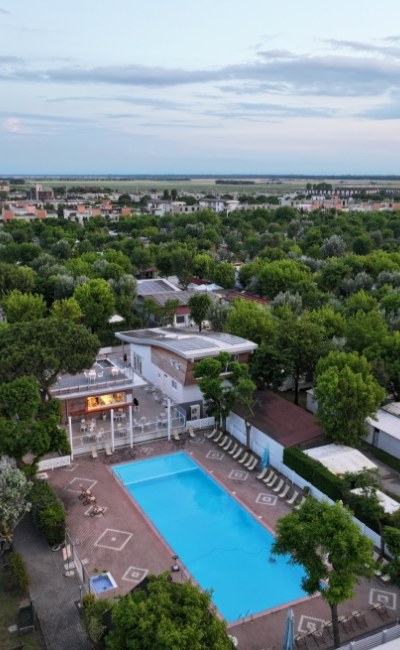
(14, 489)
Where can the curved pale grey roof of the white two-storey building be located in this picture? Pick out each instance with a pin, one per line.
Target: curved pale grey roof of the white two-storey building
(188, 343)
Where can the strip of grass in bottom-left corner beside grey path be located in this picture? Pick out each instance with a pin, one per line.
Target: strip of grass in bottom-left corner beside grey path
(9, 615)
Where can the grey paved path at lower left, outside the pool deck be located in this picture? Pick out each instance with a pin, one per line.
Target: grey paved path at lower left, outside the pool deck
(52, 593)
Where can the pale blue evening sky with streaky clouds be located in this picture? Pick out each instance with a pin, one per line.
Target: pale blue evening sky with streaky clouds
(200, 87)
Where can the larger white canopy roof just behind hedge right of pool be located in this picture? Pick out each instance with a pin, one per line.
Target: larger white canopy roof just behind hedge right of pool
(340, 459)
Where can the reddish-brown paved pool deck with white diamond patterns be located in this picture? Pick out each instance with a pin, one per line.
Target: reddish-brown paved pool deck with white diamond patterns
(123, 542)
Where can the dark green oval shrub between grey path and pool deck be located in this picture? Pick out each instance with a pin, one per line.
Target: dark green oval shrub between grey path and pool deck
(48, 512)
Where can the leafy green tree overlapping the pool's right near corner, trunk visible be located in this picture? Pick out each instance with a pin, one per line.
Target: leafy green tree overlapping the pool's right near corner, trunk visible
(334, 553)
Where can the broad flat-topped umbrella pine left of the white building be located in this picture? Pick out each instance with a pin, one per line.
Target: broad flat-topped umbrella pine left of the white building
(44, 349)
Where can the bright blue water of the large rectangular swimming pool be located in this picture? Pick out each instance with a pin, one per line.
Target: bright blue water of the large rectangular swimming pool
(221, 544)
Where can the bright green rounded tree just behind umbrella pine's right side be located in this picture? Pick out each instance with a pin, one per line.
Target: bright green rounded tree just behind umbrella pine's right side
(97, 301)
